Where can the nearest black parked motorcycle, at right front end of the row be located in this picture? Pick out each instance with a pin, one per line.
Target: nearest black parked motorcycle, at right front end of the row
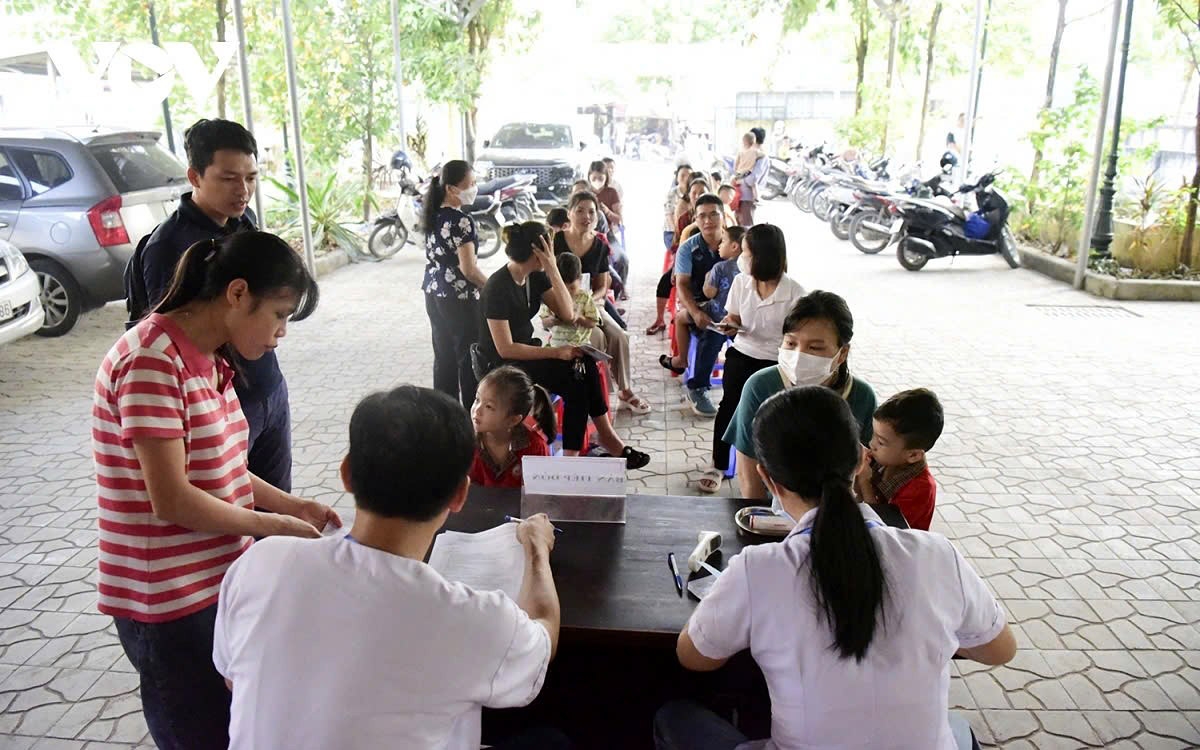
(928, 229)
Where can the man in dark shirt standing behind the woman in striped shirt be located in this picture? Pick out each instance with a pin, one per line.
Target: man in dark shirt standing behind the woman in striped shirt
(223, 167)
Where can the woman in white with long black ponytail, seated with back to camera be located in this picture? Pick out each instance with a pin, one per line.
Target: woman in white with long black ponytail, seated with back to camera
(854, 623)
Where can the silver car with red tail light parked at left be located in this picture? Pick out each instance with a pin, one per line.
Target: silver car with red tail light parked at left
(77, 202)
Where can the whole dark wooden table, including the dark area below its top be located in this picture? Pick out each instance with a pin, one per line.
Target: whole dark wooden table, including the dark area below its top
(621, 616)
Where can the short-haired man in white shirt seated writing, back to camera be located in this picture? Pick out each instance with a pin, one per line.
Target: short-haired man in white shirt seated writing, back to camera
(352, 641)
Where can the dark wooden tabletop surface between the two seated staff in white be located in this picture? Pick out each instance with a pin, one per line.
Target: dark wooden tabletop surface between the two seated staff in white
(613, 580)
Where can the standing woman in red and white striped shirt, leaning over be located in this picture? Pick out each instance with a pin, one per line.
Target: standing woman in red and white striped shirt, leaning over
(177, 502)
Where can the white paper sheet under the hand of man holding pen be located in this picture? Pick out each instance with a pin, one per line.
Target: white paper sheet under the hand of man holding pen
(491, 561)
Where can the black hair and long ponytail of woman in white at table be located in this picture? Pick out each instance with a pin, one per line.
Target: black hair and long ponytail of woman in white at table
(807, 440)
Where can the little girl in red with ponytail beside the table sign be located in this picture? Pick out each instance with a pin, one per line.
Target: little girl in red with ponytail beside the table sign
(513, 418)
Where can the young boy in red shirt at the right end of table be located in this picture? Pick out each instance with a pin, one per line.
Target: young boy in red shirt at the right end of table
(907, 427)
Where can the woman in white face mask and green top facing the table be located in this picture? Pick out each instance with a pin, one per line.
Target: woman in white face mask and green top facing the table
(815, 351)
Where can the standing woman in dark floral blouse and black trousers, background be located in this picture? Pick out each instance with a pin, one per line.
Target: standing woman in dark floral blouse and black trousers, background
(453, 279)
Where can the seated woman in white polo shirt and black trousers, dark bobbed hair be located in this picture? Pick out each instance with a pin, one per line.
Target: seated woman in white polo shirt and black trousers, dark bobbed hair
(760, 298)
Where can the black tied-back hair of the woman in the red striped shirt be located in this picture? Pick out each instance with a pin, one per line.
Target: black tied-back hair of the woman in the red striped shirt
(267, 265)
